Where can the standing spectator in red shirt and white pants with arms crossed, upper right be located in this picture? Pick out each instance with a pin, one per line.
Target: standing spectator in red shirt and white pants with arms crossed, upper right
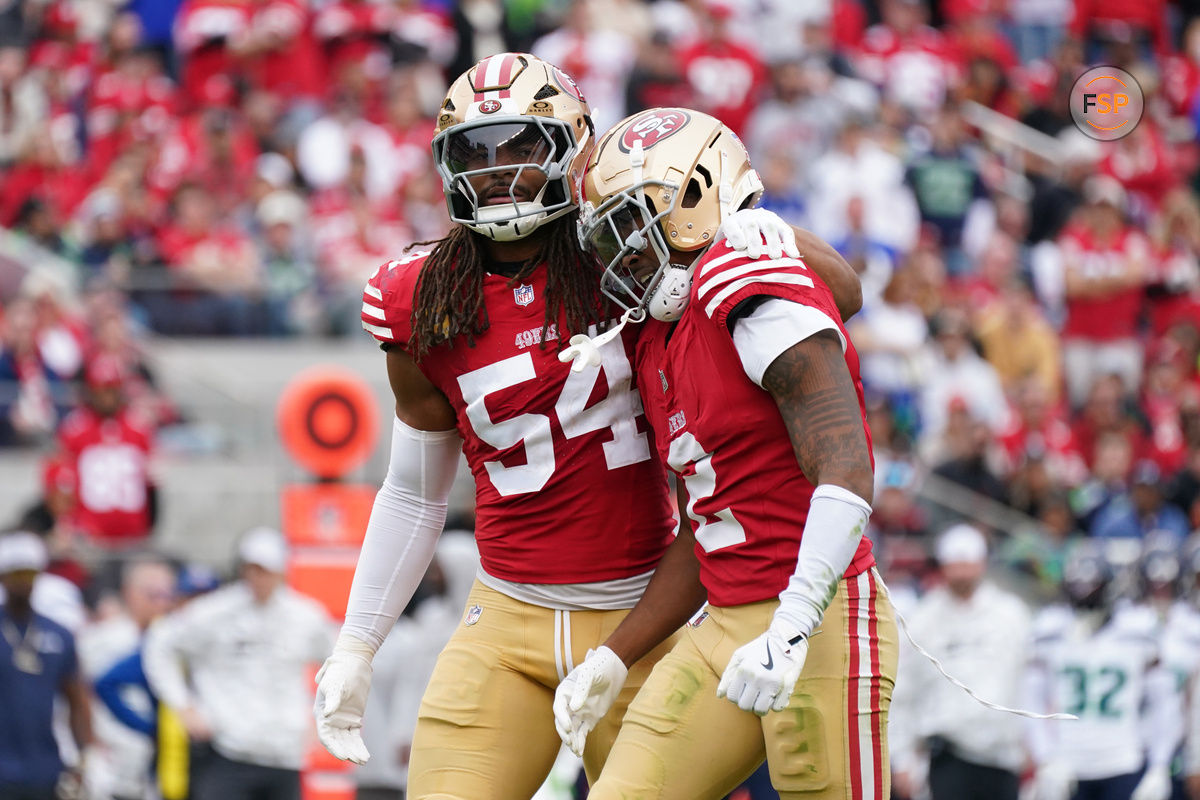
(1105, 267)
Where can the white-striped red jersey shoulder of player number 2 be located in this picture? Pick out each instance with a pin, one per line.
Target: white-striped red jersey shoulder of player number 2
(727, 276)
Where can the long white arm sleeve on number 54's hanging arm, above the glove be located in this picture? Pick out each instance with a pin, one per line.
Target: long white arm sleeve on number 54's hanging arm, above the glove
(403, 533)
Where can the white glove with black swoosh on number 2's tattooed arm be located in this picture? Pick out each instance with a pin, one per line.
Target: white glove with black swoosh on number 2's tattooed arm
(763, 675)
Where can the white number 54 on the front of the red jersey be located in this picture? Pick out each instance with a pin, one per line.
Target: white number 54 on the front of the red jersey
(617, 412)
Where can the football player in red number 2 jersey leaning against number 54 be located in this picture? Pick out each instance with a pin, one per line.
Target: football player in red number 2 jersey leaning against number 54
(752, 389)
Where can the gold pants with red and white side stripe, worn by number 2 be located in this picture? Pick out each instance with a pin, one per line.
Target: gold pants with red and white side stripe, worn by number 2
(681, 742)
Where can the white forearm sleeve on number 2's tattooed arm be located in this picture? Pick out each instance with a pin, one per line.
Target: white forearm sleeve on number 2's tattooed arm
(832, 533)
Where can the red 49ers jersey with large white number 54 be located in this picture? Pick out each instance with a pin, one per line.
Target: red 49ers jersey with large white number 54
(568, 489)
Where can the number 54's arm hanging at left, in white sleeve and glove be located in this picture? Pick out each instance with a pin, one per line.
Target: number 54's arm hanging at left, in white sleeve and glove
(401, 537)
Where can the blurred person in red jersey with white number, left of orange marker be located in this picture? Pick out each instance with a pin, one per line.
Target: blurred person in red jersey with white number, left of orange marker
(111, 454)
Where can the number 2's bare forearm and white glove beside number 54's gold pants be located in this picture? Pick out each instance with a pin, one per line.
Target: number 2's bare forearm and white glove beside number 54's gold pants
(674, 596)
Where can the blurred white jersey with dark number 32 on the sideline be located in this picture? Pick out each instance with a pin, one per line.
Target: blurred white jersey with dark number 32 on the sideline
(1101, 677)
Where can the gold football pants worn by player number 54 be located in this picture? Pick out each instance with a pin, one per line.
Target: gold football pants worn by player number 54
(487, 729)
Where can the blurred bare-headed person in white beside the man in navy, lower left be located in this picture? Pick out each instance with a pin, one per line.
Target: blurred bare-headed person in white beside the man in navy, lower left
(148, 591)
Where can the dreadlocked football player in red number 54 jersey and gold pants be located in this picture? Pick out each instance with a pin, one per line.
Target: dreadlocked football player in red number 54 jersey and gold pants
(572, 501)
